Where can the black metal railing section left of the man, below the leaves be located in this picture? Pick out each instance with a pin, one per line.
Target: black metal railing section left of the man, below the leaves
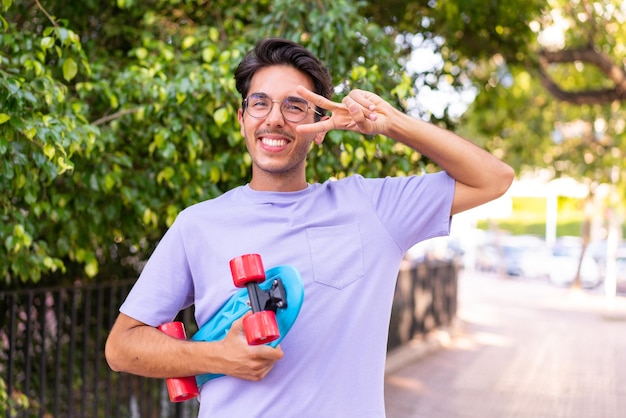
(52, 358)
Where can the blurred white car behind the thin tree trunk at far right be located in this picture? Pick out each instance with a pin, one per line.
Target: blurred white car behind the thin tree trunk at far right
(566, 257)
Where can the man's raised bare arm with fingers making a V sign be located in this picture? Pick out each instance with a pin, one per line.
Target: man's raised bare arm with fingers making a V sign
(480, 177)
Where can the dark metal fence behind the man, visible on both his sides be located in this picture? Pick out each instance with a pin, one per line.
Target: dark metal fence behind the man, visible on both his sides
(52, 346)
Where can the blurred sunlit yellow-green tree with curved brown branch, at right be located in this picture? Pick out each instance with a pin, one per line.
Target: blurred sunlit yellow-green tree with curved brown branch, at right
(564, 104)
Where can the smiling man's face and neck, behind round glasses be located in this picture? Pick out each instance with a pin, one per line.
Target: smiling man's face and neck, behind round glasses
(278, 152)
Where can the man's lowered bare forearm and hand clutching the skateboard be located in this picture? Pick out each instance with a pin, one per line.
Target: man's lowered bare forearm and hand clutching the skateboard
(137, 348)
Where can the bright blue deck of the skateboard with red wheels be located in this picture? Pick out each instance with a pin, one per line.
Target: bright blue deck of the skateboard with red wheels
(217, 327)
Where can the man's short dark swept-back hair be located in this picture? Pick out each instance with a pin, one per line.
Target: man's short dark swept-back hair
(276, 51)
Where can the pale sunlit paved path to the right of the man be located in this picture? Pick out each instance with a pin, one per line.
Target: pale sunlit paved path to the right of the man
(523, 349)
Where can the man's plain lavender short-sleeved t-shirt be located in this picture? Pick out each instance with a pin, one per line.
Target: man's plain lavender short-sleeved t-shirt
(346, 238)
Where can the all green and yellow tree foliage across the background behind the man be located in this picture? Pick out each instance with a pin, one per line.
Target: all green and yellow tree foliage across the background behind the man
(115, 115)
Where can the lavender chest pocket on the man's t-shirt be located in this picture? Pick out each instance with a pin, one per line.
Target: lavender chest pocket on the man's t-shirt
(336, 254)
